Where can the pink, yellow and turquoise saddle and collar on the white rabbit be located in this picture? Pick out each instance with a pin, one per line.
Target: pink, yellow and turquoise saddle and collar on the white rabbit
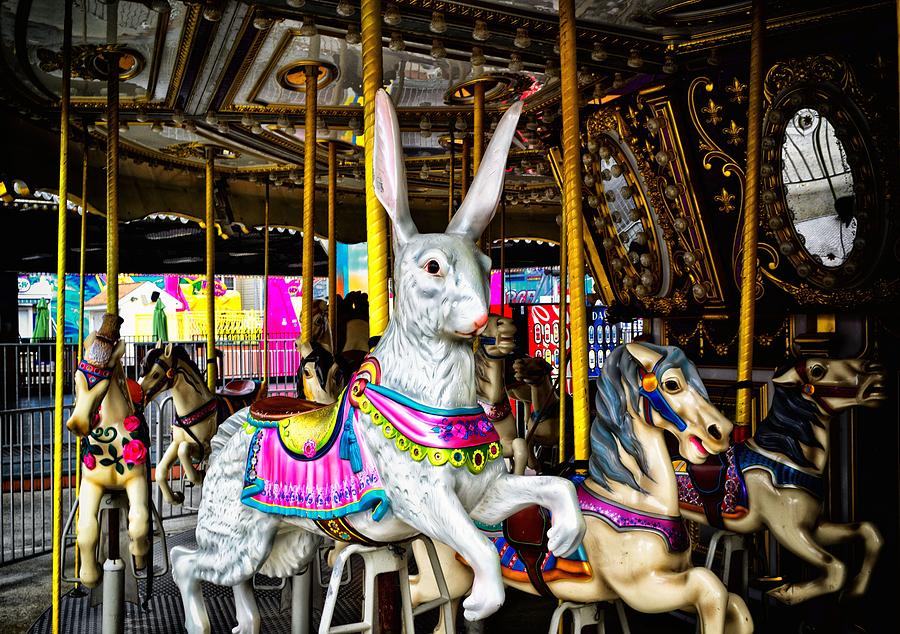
(310, 463)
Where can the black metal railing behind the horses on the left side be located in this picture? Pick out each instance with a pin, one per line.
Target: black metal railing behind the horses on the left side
(26, 430)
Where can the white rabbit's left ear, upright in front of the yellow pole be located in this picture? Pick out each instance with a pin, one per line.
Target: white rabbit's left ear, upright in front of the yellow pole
(389, 169)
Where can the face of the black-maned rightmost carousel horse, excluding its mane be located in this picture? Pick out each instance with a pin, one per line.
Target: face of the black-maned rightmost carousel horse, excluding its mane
(835, 384)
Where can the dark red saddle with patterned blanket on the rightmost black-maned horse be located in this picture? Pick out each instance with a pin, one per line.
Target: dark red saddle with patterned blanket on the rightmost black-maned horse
(715, 488)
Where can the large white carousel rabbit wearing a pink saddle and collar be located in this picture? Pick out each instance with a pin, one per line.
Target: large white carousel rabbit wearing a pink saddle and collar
(406, 450)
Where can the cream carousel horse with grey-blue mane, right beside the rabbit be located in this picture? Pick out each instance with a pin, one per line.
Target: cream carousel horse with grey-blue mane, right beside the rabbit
(636, 547)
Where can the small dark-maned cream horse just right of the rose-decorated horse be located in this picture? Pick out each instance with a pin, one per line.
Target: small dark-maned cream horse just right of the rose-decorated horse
(198, 411)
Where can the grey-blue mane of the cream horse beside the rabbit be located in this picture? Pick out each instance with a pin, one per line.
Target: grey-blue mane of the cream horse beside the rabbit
(612, 426)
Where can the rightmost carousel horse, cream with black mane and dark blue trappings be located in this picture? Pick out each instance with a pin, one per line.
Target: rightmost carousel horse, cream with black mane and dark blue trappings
(775, 480)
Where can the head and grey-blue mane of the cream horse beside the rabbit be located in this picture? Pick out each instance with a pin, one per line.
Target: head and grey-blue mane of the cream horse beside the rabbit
(646, 384)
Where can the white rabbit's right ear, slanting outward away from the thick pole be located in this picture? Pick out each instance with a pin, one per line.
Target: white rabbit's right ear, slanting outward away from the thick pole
(483, 196)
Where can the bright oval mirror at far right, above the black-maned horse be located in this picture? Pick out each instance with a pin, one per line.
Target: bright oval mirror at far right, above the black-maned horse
(818, 184)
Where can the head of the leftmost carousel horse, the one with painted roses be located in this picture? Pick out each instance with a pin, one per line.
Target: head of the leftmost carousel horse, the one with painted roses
(103, 351)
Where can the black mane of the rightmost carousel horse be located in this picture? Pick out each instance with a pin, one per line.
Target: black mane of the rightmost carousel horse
(789, 423)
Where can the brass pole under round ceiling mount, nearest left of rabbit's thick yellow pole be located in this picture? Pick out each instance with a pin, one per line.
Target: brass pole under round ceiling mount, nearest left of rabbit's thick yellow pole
(309, 199)
